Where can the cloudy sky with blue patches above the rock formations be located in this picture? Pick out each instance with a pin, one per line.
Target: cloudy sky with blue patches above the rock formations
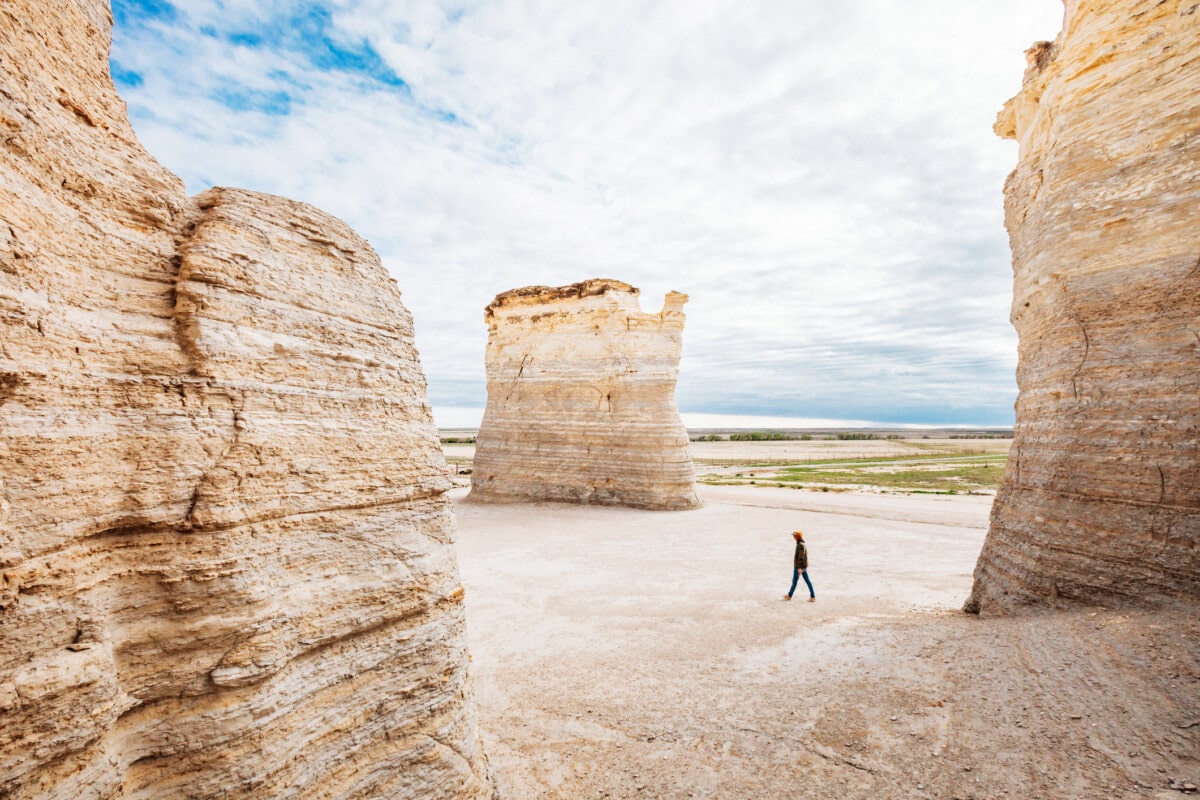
(820, 178)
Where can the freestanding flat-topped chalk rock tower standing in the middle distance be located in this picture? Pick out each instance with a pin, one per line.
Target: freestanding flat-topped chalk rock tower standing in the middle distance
(581, 400)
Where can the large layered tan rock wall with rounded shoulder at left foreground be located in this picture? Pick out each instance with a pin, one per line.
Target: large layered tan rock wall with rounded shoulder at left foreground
(226, 551)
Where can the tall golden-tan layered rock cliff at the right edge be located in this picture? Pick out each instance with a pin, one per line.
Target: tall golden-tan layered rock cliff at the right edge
(1102, 497)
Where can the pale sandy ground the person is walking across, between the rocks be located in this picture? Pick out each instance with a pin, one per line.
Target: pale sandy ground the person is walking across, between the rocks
(634, 654)
